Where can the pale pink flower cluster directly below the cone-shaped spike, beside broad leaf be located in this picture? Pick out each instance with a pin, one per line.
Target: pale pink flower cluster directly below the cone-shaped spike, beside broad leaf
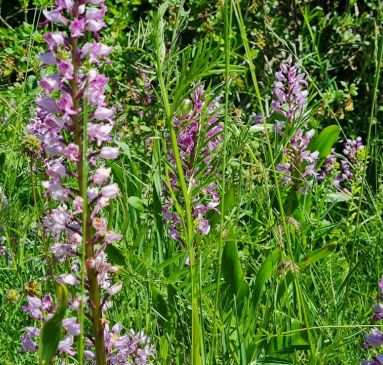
(299, 164)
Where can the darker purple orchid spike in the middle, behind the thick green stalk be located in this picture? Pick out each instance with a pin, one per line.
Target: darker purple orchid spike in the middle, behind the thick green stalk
(199, 138)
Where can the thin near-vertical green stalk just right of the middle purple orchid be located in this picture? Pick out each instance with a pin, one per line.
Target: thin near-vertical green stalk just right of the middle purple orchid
(227, 34)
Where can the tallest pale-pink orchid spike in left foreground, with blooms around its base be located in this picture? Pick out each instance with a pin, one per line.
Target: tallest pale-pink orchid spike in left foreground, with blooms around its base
(74, 125)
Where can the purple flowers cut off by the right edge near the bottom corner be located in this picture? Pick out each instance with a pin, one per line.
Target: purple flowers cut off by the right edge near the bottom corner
(375, 337)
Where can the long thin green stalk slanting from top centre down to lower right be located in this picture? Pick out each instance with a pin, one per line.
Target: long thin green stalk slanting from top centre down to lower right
(237, 10)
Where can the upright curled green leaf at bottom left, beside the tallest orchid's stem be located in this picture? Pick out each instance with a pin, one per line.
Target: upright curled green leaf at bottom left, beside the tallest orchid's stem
(51, 332)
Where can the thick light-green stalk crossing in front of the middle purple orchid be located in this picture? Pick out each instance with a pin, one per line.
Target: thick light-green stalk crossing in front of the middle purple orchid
(189, 232)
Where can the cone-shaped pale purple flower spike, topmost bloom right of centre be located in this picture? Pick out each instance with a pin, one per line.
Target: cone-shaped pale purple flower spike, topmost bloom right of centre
(290, 98)
